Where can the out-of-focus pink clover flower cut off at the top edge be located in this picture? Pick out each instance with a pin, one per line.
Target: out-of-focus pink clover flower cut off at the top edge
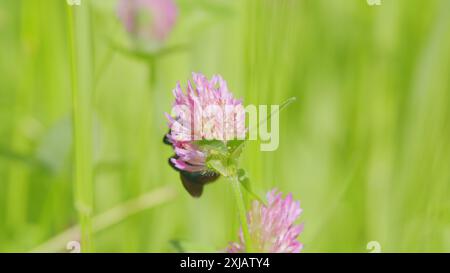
(148, 19)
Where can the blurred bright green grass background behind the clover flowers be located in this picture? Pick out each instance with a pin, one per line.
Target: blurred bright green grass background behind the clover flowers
(365, 147)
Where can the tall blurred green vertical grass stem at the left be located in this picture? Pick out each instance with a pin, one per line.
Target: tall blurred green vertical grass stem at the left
(81, 83)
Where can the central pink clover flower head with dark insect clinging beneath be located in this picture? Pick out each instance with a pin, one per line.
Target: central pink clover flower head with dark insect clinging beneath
(207, 111)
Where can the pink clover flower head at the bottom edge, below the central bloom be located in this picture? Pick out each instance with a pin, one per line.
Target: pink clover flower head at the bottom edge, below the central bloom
(272, 227)
